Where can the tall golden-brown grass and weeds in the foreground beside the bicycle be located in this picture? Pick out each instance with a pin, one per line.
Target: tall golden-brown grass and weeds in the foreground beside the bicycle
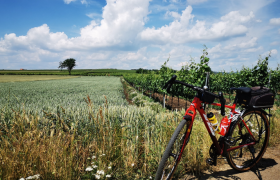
(128, 139)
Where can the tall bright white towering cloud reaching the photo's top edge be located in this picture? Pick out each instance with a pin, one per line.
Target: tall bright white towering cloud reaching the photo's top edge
(122, 21)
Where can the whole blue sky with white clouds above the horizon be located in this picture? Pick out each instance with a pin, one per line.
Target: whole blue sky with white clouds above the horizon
(132, 34)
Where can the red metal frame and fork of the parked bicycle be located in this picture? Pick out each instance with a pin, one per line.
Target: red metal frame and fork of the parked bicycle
(191, 111)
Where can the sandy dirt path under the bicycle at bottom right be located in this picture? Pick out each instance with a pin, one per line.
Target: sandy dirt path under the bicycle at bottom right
(269, 168)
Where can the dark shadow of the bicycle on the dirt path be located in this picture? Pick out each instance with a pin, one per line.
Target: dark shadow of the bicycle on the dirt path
(232, 174)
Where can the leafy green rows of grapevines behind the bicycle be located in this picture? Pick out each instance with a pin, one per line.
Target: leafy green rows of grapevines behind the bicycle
(195, 73)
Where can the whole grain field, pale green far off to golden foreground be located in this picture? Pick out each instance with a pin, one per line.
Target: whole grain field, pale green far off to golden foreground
(68, 129)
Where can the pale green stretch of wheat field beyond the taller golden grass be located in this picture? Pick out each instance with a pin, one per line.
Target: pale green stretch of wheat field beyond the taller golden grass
(68, 93)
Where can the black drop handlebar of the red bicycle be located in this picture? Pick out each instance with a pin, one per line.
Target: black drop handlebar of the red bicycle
(220, 96)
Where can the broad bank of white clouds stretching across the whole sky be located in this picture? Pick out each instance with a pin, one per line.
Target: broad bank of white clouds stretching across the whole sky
(122, 40)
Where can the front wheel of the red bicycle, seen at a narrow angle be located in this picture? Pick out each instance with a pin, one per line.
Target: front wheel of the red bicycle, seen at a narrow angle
(169, 155)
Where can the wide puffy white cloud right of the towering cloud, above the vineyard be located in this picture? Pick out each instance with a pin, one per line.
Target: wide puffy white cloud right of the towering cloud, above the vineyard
(180, 30)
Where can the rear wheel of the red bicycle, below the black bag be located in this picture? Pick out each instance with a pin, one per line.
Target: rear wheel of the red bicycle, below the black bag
(242, 159)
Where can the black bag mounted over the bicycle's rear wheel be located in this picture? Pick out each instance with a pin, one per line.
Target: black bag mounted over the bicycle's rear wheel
(259, 97)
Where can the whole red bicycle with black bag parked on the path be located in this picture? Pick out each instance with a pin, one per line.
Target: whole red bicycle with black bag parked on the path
(247, 134)
